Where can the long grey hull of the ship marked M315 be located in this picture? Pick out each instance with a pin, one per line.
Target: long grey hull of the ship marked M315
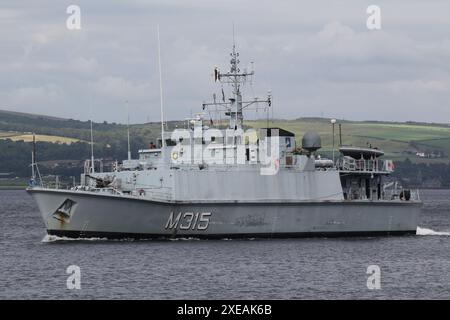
(83, 214)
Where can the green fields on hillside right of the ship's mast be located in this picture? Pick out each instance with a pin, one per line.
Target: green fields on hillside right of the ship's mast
(399, 141)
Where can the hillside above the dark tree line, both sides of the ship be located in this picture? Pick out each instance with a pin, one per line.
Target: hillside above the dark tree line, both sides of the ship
(398, 140)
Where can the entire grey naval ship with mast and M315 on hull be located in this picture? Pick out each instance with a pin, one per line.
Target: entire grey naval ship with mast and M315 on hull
(208, 181)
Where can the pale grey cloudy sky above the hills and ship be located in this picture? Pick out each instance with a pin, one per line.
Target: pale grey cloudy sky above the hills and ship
(317, 57)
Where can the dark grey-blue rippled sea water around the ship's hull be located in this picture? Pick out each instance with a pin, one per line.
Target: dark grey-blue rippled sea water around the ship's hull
(33, 266)
